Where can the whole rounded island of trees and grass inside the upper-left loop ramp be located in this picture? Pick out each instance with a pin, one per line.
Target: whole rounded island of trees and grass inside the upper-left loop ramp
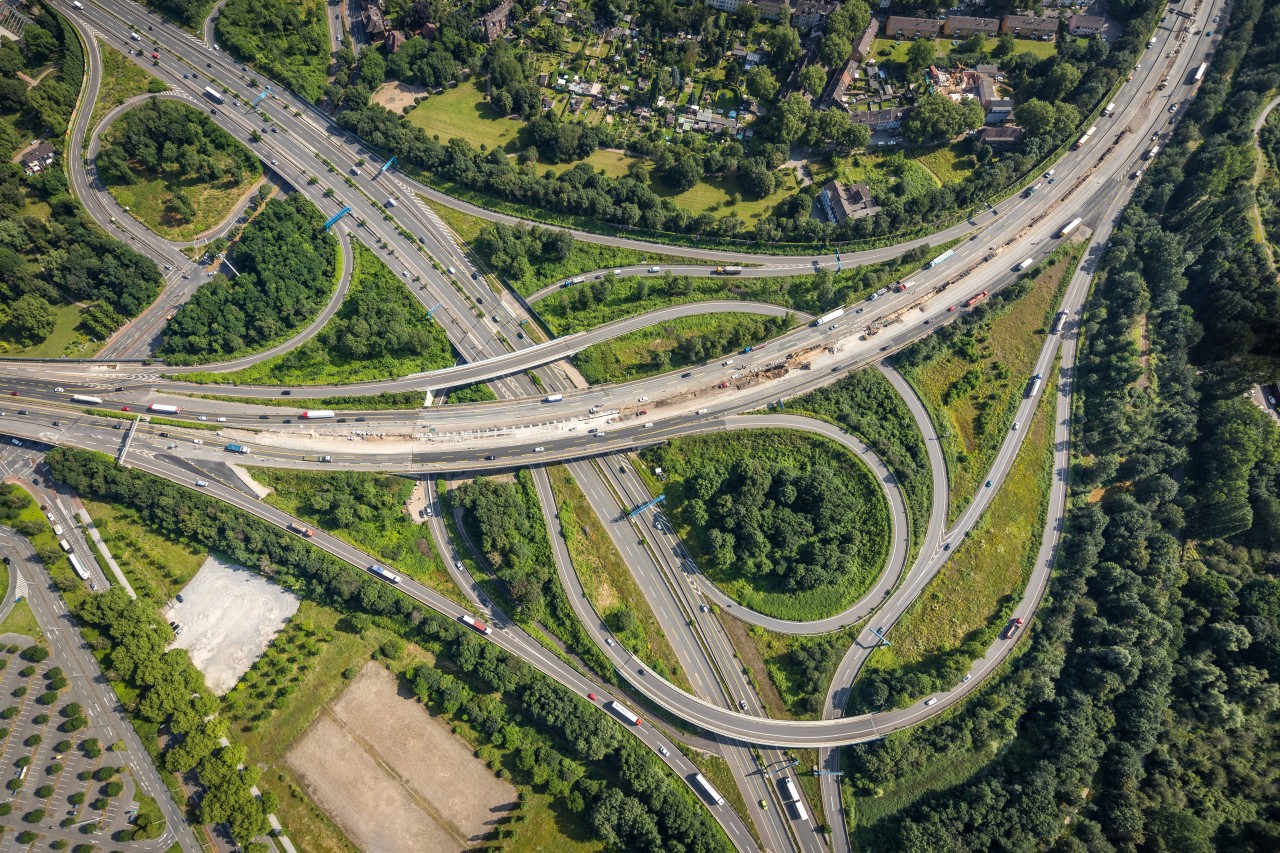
(173, 168)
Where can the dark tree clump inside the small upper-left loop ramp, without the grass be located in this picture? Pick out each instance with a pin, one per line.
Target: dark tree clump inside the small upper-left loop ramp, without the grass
(177, 143)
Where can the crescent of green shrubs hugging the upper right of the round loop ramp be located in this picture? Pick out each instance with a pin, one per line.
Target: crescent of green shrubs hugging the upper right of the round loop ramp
(867, 405)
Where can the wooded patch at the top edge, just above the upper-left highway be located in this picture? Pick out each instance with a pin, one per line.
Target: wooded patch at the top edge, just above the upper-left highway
(286, 42)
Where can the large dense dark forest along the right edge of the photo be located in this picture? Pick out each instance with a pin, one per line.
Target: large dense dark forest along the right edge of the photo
(1142, 714)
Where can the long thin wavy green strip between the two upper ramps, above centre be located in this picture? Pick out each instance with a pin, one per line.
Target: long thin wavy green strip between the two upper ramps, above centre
(586, 307)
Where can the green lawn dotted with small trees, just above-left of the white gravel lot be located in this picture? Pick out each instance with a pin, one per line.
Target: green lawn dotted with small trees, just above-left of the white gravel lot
(157, 565)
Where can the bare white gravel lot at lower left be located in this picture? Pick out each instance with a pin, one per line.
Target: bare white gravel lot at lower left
(228, 615)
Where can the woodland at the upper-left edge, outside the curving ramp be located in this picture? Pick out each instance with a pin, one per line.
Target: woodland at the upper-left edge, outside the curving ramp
(54, 258)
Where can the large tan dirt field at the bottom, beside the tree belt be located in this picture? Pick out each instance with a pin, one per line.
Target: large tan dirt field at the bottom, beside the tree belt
(400, 783)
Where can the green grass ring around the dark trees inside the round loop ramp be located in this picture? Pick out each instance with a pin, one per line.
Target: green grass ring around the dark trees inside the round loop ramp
(687, 460)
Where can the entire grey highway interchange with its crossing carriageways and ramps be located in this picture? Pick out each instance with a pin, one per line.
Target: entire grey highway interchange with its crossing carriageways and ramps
(524, 431)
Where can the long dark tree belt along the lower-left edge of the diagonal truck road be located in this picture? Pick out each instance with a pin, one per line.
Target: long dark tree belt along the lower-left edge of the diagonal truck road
(580, 758)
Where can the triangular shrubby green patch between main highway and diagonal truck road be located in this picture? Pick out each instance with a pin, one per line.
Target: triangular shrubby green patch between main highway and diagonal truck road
(367, 510)
